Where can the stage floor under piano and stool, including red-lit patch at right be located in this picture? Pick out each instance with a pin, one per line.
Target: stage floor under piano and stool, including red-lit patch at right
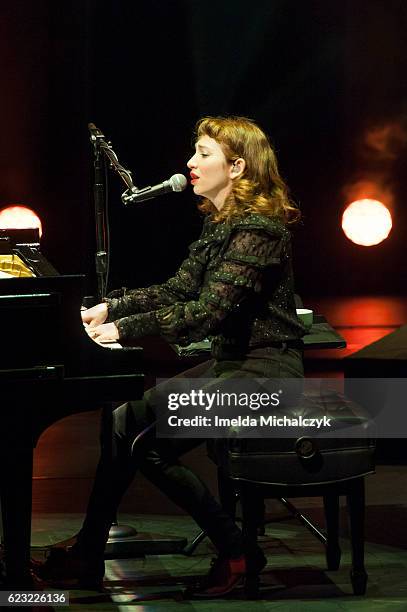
(295, 579)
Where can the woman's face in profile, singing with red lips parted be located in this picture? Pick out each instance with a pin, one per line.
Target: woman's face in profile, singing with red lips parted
(211, 173)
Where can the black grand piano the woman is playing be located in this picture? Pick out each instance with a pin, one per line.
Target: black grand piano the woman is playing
(49, 369)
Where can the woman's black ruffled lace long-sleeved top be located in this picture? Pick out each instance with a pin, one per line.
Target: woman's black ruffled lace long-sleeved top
(236, 286)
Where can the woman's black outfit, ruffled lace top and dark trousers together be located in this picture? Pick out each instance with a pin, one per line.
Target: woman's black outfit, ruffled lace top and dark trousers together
(236, 286)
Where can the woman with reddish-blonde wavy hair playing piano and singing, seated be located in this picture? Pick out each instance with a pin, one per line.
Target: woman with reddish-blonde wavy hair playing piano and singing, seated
(236, 287)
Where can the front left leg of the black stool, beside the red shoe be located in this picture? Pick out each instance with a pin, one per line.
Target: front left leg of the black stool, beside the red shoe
(252, 504)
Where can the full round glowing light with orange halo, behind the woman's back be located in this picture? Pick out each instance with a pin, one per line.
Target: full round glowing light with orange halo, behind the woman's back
(366, 222)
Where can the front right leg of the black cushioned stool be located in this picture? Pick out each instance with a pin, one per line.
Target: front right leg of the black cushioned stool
(356, 513)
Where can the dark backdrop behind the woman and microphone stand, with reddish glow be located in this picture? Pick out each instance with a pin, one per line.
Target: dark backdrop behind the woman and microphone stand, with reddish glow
(325, 79)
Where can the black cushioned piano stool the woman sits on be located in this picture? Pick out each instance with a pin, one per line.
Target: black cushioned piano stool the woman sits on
(282, 468)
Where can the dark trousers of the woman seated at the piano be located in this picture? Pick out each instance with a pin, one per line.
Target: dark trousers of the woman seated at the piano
(158, 458)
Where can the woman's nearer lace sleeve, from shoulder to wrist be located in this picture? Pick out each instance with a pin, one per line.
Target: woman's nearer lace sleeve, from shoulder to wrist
(238, 276)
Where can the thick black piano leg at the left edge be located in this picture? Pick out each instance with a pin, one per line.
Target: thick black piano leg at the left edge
(16, 504)
